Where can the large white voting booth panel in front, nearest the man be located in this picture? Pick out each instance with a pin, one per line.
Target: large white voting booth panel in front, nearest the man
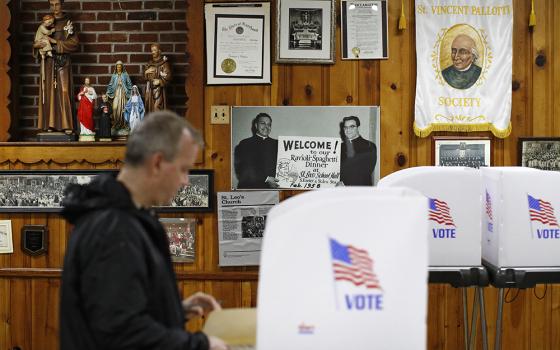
(341, 269)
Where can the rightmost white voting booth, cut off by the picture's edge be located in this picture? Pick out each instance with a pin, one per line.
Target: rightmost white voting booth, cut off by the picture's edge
(520, 217)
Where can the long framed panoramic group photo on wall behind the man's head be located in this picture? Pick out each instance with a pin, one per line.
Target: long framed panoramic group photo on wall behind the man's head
(43, 190)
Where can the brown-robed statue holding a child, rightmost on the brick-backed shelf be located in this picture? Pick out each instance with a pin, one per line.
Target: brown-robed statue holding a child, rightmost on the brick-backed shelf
(158, 75)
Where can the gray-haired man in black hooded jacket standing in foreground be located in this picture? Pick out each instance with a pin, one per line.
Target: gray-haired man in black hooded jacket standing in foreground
(118, 285)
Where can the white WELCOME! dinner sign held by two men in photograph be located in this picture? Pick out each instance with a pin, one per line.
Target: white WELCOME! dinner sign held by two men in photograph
(308, 162)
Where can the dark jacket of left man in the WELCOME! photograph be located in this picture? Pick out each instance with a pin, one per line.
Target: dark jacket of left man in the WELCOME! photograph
(255, 160)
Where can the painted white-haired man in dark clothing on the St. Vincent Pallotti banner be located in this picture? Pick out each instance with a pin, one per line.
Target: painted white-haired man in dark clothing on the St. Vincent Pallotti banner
(464, 72)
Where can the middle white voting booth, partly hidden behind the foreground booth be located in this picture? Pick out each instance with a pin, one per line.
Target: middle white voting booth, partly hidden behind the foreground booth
(454, 232)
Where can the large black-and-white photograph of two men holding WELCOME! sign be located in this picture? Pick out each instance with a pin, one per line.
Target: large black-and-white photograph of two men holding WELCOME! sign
(275, 147)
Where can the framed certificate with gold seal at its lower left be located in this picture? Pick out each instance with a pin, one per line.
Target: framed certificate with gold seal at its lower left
(237, 43)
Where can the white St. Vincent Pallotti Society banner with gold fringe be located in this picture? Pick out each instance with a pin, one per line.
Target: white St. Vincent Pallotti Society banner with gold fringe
(464, 65)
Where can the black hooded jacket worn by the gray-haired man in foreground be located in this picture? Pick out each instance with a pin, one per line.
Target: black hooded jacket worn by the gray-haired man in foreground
(118, 285)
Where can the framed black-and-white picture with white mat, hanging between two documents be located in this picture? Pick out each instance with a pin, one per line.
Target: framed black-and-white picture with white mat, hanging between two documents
(305, 31)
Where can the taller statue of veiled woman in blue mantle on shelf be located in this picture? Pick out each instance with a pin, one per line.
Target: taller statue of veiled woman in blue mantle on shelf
(118, 91)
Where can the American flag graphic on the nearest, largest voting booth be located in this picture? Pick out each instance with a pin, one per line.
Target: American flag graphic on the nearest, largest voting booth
(353, 265)
